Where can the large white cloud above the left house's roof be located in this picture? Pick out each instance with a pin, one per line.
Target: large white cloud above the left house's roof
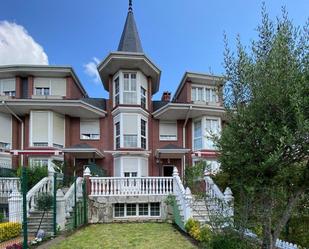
(18, 47)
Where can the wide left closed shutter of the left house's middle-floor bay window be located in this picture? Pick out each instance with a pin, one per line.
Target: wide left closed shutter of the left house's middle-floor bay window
(39, 127)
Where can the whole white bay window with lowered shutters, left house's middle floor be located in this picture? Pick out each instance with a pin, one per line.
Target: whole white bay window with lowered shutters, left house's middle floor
(46, 129)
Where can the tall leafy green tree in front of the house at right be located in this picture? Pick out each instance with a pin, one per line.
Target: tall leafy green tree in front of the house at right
(264, 148)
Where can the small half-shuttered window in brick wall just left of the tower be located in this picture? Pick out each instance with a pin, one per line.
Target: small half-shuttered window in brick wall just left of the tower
(90, 129)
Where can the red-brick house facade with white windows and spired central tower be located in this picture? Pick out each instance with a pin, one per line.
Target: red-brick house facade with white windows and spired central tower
(46, 115)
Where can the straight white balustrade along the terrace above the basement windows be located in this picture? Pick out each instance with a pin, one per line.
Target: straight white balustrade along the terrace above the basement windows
(117, 186)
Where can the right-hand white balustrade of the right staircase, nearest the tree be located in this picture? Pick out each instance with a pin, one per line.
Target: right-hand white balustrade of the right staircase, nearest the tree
(220, 202)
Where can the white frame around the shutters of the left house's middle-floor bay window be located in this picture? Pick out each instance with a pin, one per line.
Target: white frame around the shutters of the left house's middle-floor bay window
(50, 142)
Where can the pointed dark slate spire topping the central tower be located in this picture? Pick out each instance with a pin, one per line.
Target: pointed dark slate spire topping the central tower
(130, 41)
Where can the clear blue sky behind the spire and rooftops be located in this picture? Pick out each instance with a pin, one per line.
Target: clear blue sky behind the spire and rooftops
(178, 35)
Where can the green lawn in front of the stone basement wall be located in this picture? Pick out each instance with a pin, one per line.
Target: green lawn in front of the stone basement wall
(127, 235)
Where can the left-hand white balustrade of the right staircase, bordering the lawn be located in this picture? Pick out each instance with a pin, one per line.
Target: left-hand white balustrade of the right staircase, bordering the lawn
(183, 196)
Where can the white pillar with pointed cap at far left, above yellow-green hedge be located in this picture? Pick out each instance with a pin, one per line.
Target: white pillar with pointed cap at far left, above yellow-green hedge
(15, 207)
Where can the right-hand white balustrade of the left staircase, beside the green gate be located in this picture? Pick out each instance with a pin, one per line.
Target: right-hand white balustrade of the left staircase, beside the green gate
(69, 199)
